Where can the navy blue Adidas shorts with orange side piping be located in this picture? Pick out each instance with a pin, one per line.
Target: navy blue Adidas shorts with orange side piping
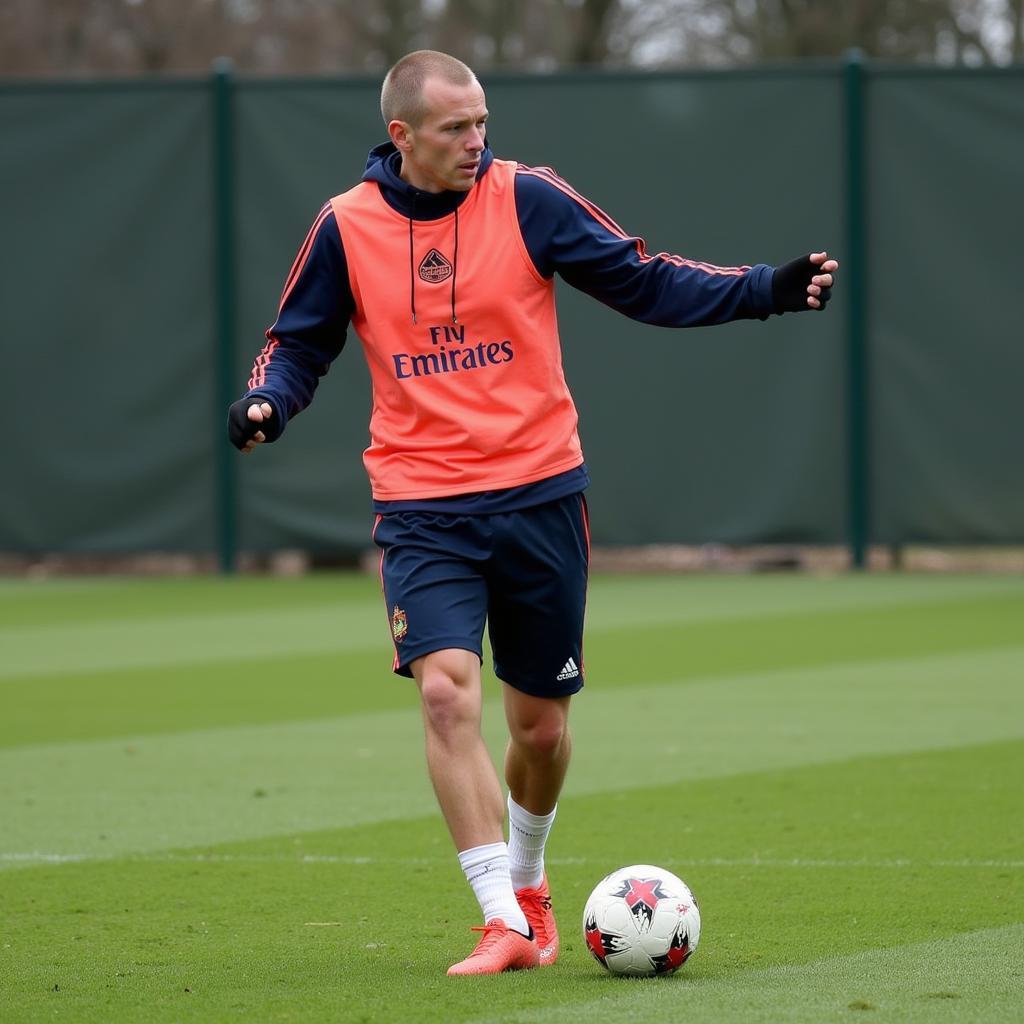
(523, 573)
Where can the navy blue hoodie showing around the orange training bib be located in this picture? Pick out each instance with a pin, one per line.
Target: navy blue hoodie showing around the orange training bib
(565, 234)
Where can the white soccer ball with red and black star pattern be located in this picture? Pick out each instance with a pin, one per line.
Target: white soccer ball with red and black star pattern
(642, 921)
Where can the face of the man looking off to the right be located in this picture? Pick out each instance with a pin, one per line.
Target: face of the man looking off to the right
(444, 151)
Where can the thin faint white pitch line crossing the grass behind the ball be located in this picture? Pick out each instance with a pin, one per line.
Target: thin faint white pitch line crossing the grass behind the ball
(311, 859)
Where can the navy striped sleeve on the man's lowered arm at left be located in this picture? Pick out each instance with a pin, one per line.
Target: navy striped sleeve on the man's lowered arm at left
(317, 306)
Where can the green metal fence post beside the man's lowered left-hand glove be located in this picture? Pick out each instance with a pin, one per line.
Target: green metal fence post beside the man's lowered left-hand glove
(226, 391)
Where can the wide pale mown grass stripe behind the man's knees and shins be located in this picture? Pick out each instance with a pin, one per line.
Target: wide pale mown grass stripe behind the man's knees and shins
(212, 786)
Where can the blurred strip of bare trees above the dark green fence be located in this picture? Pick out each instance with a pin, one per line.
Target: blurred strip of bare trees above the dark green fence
(88, 37)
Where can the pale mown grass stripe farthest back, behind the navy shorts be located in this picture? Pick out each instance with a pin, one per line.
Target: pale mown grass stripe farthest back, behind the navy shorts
(126, 641)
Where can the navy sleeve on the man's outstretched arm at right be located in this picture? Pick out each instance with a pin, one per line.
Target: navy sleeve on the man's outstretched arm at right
(567, 234)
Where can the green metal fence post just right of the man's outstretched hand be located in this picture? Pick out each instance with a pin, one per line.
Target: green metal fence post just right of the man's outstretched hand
(855, 283)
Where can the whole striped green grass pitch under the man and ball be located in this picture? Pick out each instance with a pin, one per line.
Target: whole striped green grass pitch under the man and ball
(214, 805)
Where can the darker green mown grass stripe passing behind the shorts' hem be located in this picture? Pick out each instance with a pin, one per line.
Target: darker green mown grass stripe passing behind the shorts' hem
(251, 691)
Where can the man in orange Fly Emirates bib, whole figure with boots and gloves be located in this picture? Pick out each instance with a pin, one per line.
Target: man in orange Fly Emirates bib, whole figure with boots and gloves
(443, 259)
